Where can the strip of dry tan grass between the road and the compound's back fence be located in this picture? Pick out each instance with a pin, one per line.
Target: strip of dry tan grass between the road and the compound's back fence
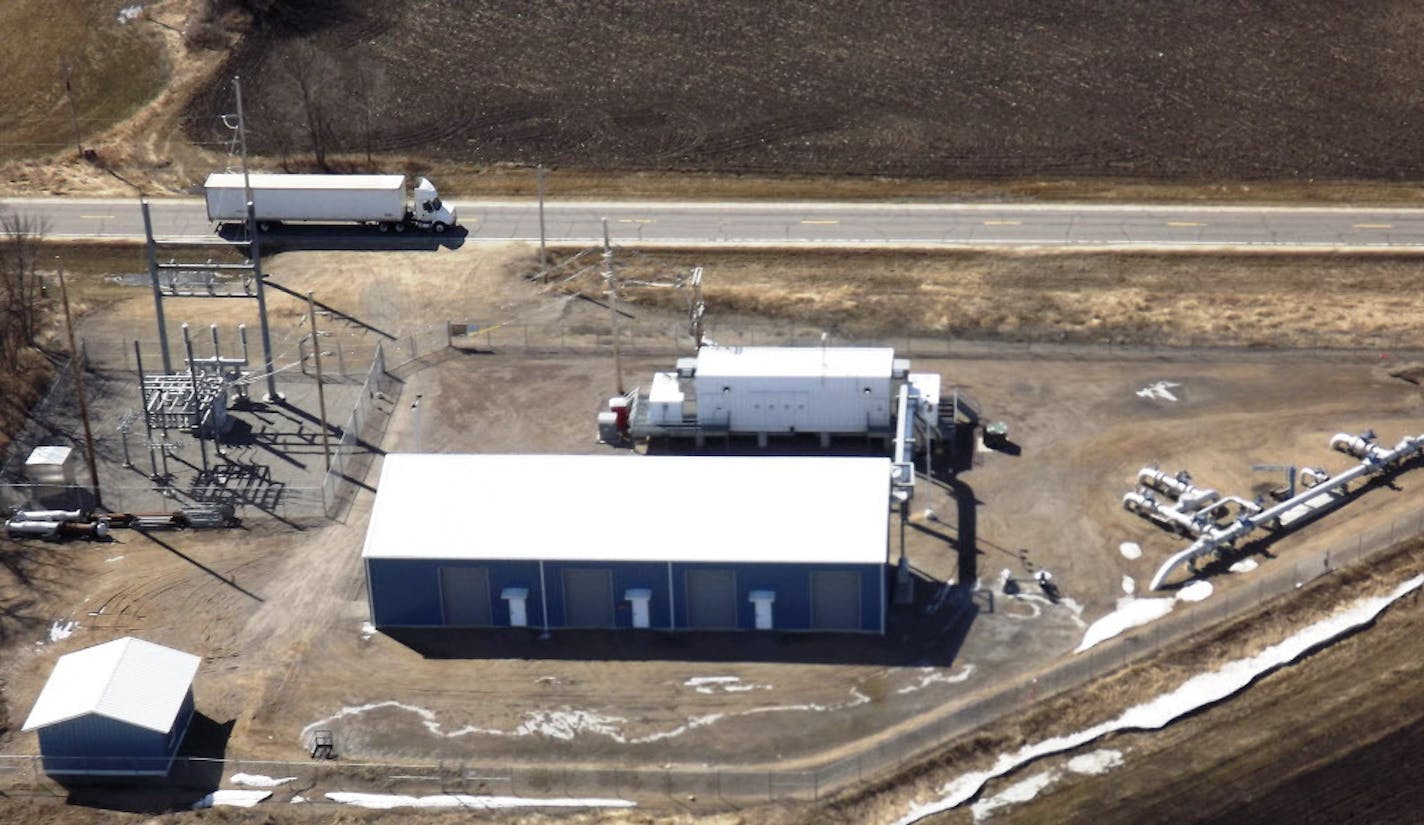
(1170, 300)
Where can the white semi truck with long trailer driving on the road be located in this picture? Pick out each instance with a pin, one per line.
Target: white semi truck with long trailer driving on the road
(368, 200)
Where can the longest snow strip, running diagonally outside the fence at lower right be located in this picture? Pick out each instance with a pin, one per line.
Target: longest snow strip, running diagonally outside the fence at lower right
(1195, 693)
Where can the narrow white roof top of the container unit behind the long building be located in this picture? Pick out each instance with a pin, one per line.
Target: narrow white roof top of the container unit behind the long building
(795, 363)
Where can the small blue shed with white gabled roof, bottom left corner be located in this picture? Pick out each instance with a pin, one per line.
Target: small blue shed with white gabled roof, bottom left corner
(117, 710)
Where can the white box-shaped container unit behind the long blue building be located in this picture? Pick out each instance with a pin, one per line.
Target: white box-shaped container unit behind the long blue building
(812, 390)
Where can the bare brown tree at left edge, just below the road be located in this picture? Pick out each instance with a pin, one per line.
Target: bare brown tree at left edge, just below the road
(22, 243)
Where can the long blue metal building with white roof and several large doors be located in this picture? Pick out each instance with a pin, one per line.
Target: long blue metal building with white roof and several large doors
(630, 542)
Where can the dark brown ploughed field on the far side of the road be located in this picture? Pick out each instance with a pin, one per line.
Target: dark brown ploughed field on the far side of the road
(1138, 90)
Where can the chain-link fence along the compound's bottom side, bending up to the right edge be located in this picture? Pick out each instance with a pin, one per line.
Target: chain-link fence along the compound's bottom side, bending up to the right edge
(872, 757)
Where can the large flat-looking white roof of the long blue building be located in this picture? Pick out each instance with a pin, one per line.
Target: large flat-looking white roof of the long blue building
(632, 508)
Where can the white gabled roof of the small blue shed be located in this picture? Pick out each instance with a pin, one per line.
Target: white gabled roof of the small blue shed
(129, 680)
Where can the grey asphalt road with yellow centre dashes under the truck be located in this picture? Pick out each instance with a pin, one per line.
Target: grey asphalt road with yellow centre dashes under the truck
(829, 224)
